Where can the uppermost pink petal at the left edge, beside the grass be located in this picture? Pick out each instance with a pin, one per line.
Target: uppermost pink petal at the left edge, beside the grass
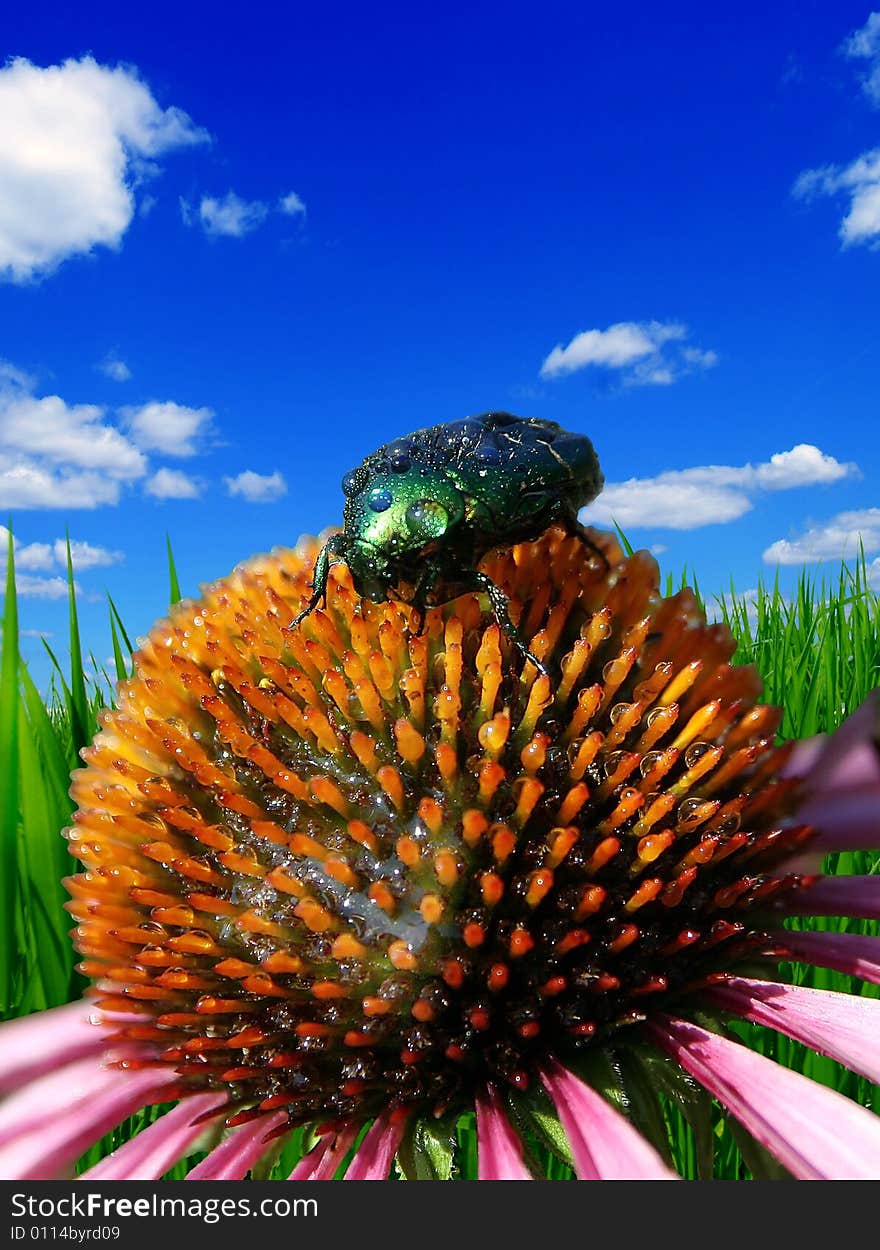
(47, 1041)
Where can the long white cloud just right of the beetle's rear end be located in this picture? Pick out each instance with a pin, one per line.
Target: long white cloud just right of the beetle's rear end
(687, 499)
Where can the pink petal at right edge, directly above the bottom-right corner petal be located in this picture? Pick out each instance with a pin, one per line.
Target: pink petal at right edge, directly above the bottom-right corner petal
(841, 1026)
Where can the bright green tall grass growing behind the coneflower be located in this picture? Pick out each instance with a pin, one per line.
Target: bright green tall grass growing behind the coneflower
(817, 651)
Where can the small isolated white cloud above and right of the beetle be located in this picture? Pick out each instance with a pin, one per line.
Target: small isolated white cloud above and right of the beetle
(648, 353)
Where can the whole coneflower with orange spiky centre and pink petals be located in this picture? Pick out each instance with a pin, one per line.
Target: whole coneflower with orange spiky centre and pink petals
(349, 877)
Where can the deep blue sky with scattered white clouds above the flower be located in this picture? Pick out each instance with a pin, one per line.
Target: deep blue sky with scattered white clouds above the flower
(239, 252)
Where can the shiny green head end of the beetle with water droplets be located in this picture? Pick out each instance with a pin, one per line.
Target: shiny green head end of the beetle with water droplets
(394, 517)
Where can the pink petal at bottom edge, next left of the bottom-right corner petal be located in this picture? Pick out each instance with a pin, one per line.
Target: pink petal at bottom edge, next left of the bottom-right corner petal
(604, 1144)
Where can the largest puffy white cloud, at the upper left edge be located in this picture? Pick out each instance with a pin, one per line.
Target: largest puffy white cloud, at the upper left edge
(76, 141)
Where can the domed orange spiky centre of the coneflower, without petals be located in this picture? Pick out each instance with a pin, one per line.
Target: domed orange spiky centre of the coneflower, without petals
(347, 868)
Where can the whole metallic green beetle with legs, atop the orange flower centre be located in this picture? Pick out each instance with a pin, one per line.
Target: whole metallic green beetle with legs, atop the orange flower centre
(422, 512)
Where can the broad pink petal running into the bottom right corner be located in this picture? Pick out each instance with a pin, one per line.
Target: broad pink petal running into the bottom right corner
(814, 1132)
